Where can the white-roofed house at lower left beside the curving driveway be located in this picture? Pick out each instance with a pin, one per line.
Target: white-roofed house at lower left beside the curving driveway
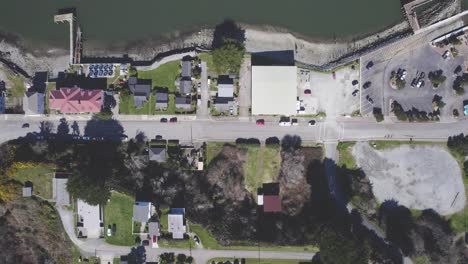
(90, 222)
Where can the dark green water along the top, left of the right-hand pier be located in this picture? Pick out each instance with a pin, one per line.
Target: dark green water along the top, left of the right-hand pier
(111, 21)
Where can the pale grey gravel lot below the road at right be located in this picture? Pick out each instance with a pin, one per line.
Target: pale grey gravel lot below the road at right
(431, 178)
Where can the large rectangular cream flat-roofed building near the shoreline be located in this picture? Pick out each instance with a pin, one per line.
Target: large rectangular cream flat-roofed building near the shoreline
(274, 90)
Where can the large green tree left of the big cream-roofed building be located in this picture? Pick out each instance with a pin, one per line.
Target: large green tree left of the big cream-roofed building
(228, 57)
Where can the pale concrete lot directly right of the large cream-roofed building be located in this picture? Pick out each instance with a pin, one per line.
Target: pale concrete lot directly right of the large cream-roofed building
(327, 92)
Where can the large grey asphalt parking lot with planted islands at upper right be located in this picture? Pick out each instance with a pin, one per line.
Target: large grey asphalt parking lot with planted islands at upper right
(418, 62)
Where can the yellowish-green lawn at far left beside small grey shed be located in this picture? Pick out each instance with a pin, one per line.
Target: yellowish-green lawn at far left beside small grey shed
(40, 175)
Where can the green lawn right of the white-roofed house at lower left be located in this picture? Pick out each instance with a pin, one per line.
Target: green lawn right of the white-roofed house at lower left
(119, 210)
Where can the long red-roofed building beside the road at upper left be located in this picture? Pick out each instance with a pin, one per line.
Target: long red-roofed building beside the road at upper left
(75, 100)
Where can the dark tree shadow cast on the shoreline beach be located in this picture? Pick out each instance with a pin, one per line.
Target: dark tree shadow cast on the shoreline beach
(227, 30)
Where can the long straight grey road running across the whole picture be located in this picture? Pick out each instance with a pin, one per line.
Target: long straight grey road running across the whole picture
(230, 130)
